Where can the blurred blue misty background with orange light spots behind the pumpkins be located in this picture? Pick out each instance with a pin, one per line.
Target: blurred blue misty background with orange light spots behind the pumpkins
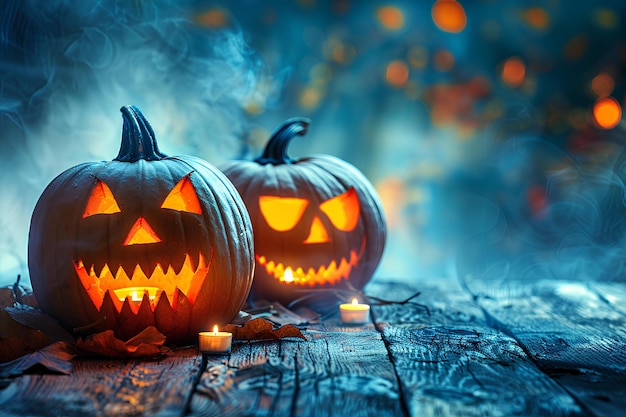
(480, 175)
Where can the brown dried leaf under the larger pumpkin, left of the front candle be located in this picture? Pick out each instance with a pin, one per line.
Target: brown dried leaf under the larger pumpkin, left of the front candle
(147, 343)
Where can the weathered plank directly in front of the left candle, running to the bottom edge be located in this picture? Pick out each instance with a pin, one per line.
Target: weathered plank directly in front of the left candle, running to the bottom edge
(331, 374)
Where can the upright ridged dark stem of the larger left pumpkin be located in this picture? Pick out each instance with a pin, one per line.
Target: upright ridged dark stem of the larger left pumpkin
(138, 139)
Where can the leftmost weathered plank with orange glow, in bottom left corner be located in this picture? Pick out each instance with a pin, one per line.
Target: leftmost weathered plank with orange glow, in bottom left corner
(105, 387)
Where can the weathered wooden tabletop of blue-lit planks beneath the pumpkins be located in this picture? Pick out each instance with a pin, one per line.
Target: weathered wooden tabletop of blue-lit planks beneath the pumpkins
(485, 349)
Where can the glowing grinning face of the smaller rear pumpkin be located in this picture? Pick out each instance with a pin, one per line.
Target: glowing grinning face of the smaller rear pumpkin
(316, 233)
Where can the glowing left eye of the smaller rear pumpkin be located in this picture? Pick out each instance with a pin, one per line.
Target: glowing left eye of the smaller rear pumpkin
(282, 213)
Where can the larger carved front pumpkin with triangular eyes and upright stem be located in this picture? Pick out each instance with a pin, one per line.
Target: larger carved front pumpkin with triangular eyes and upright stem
(142, 240)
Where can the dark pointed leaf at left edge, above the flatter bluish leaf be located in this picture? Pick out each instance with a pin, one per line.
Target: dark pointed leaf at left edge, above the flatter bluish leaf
(17, 339)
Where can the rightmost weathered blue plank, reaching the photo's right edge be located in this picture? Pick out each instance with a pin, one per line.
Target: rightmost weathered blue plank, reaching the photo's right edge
(570, 332)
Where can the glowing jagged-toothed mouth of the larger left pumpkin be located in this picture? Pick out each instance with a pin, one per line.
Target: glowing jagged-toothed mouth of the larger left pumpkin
(138, 288)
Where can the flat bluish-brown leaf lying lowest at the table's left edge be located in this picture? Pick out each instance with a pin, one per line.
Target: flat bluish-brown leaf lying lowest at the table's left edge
(56, 357)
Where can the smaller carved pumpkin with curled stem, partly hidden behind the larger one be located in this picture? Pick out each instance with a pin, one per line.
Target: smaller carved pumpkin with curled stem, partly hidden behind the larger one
(317, 221)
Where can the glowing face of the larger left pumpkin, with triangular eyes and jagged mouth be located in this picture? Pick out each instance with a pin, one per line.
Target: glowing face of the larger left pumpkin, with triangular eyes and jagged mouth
(150, 279)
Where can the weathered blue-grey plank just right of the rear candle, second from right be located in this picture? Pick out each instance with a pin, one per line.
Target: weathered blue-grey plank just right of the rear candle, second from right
(452, 363)
